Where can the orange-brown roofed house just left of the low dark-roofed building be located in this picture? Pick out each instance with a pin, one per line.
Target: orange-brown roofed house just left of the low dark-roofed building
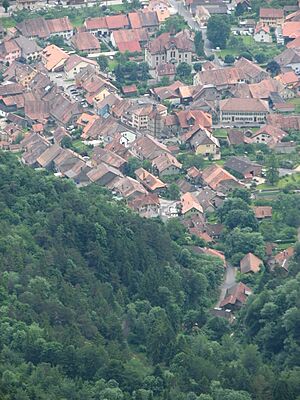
(215, 176)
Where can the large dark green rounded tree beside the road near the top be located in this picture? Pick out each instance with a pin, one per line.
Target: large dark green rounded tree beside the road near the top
(218, 31)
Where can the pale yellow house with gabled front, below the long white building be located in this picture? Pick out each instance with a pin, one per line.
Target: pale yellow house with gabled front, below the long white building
(203, 142)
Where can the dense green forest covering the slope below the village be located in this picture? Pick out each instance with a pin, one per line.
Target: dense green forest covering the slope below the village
(100, 304)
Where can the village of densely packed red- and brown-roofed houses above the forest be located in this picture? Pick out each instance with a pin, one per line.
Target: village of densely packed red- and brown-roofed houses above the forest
(140, 103)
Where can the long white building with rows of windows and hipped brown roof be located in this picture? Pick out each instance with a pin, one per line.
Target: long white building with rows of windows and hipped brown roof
(243, 112)
